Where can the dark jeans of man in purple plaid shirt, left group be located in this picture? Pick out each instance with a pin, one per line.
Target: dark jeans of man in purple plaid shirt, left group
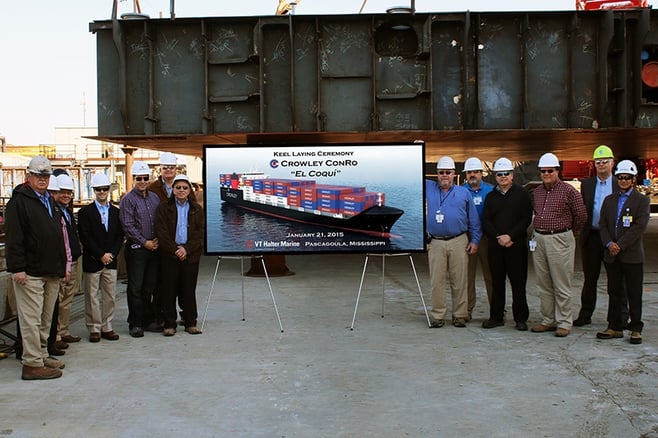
(142, 267)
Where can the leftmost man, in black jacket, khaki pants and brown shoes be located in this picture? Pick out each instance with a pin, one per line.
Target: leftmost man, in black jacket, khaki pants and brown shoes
(36, 258)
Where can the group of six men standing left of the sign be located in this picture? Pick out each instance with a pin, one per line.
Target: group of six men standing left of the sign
(162, 226)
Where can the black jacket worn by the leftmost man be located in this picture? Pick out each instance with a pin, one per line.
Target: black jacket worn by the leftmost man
(34, 239)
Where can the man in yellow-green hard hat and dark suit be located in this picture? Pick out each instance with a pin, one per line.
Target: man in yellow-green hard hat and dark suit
(594, 190)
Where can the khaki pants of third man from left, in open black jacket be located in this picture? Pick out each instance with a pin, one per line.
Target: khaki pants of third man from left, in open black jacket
(101, 283)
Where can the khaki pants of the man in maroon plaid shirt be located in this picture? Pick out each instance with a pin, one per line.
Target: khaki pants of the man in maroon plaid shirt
(554, 267)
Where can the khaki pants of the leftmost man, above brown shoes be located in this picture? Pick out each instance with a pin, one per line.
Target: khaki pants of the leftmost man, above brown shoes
(35, 302)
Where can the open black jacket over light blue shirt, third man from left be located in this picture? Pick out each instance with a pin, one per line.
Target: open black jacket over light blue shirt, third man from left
(96, 240)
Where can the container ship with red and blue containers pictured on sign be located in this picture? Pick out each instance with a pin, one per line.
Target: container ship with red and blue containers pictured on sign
(302, 200)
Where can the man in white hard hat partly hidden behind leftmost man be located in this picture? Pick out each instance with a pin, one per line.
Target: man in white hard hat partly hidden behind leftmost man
(64, 200)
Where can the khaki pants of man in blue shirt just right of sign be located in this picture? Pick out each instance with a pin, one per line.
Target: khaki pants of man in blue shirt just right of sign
(448, 264)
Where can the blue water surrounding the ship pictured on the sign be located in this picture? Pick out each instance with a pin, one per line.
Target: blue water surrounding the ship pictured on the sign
(232, 229)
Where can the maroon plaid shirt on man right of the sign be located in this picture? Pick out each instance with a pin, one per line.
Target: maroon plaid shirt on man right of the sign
(559, 208)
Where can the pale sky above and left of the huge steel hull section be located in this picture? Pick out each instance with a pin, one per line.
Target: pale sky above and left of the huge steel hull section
(48, 55)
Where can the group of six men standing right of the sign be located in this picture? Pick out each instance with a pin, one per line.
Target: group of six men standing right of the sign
(478, 223)
